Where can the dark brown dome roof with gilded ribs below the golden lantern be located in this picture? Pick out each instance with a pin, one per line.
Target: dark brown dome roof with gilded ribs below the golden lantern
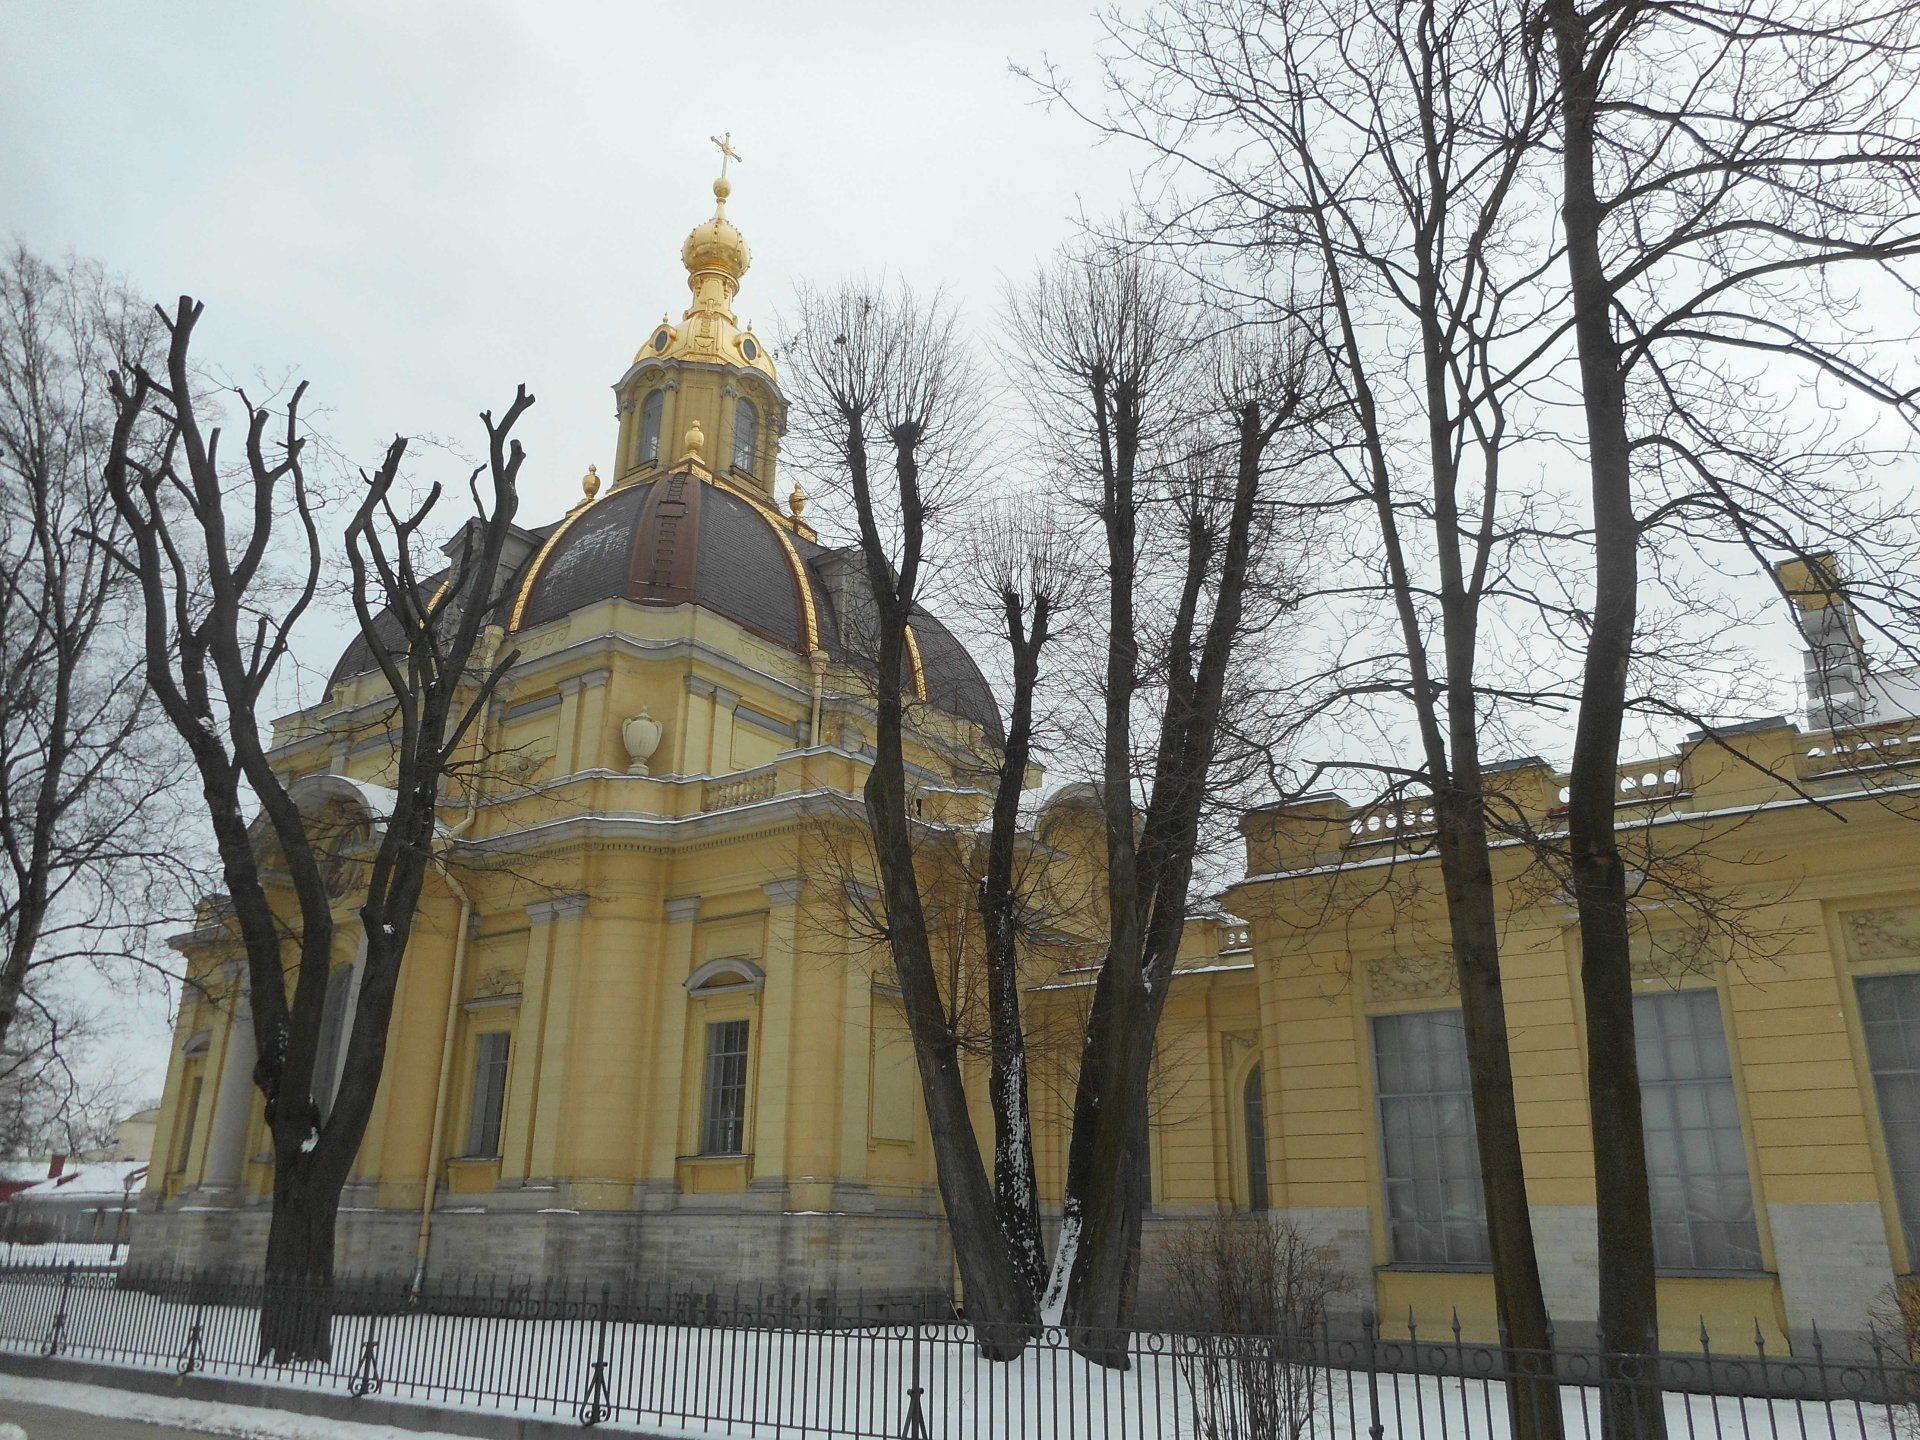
(683, 540)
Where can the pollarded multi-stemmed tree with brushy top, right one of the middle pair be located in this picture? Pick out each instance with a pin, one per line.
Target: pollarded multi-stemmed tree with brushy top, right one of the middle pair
(1170, 429)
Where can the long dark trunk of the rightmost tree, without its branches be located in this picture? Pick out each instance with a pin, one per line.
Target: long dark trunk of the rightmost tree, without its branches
(1629, 1322)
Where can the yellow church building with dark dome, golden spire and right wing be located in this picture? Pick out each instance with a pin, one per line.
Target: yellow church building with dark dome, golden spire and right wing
(642, 1038)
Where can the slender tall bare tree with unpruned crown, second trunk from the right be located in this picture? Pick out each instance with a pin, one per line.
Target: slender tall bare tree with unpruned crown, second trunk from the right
(1376, 158)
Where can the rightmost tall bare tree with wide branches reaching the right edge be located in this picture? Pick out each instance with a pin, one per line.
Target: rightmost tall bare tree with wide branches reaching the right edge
(1725, 170)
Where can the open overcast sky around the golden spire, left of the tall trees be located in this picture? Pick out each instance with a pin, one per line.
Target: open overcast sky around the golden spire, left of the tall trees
(418, 206)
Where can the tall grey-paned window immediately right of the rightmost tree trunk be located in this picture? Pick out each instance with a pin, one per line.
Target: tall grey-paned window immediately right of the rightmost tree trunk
(1696, 1155)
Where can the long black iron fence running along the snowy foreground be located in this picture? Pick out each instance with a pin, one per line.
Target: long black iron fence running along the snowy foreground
(828, 1366)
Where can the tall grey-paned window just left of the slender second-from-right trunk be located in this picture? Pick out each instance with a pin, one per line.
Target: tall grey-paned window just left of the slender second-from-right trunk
(1435, 1207)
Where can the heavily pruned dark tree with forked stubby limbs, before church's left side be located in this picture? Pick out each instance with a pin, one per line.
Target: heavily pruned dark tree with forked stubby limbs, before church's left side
(228, 565)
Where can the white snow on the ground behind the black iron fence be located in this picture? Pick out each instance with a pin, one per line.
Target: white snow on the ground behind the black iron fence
(708, 1380)
